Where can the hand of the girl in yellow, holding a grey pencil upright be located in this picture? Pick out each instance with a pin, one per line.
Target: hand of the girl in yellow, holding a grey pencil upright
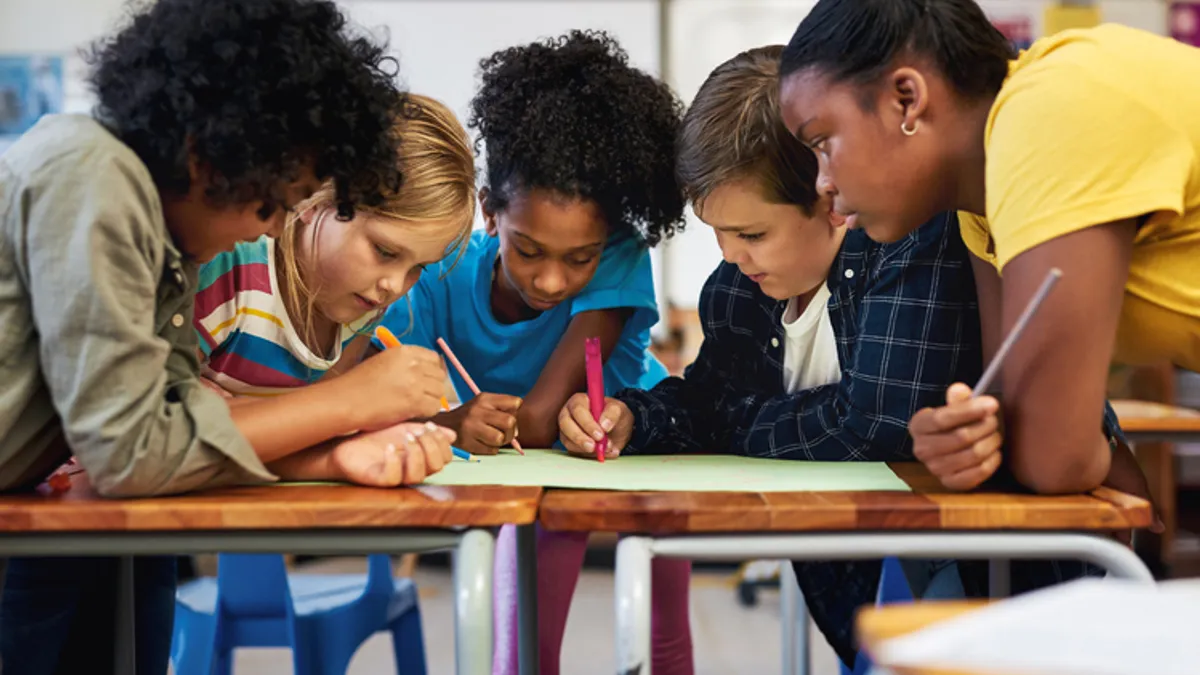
(961, 441)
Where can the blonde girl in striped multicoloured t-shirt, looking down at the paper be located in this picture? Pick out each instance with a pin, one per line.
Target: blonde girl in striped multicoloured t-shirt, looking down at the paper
(274, 315)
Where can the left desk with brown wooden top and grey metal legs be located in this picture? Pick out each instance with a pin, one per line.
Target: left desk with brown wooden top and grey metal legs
(307, 519)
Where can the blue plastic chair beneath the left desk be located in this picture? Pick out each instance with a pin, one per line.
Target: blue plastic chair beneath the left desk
(325, 618)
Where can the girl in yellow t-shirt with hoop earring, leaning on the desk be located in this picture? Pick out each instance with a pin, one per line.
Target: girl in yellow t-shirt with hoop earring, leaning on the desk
(1079, 154)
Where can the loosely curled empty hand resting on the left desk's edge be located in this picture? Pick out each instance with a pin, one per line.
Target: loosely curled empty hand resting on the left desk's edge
(404, 455)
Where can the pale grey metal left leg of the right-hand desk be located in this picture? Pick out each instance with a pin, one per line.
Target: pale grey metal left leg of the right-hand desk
(633, 582)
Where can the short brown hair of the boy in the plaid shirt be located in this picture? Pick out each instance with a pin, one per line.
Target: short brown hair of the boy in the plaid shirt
(734, 132)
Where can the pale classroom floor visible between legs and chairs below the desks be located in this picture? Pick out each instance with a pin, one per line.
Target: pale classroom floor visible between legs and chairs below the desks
(729, 640)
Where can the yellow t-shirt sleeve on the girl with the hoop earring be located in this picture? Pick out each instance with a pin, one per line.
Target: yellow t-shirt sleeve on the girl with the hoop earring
(1067, 151)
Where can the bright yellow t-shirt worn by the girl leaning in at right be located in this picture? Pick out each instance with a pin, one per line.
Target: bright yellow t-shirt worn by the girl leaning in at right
(1093, 127)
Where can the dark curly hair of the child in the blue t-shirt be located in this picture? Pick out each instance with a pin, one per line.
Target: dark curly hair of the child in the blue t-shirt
(573, 117)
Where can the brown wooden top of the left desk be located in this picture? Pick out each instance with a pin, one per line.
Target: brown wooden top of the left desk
(285, 507)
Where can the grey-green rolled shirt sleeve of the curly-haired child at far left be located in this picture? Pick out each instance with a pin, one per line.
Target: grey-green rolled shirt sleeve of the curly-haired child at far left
(94, 285)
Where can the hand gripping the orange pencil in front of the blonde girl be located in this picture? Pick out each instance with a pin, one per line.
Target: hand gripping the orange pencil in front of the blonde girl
(397, 385)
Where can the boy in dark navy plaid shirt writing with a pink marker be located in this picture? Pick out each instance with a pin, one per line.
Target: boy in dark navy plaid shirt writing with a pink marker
(819, 343)
